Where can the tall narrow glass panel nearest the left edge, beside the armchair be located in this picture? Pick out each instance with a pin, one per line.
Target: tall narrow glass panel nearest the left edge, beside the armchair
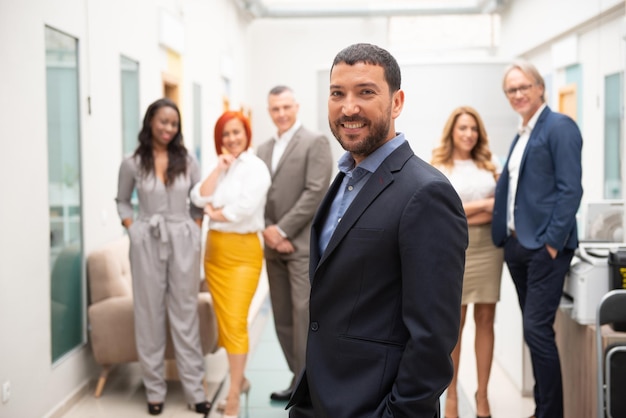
(64, 193)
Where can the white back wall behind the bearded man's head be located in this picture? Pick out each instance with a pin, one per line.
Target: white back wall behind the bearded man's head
(299, 53)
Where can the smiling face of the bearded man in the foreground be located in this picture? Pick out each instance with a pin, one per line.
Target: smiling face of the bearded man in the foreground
(361, 109)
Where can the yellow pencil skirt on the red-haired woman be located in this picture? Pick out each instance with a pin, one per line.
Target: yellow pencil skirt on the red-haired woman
(232, 264)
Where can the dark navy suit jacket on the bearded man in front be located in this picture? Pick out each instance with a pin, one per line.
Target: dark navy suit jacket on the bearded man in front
(386, 296)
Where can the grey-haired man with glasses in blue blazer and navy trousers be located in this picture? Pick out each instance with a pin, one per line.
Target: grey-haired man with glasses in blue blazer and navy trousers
(534, 219)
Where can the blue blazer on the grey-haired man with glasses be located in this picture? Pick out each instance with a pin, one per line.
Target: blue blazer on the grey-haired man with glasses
(549, 186)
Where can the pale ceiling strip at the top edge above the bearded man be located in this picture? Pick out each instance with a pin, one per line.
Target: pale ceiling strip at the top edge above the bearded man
(366, 8)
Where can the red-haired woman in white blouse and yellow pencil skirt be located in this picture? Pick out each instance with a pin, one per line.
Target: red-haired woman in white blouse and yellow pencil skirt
(233, 196)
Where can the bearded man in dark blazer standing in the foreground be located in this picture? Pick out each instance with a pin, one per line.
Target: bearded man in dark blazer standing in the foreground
(387, 257)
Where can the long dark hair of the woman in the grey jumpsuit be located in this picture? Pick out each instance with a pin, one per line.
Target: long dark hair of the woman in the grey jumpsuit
(176, 151)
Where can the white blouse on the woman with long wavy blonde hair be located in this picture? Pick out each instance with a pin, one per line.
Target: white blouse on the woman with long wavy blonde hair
(470, 182)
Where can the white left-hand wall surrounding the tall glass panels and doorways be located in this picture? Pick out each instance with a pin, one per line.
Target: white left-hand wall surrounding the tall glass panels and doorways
(104, 30)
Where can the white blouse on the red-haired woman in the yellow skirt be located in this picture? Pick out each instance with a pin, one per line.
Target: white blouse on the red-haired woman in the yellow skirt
(241, 194)
